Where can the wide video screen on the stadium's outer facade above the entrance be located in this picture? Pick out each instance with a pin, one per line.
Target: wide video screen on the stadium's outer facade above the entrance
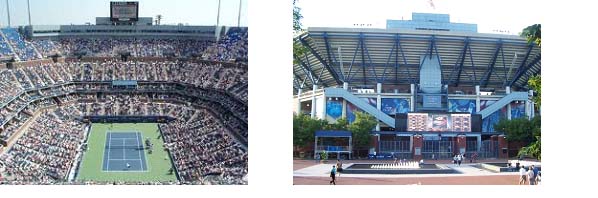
(439, 122)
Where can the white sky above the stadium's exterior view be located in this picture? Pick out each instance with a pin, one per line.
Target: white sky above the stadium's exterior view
(506, 15)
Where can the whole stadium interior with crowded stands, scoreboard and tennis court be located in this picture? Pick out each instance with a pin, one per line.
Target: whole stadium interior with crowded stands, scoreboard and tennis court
(123, 101)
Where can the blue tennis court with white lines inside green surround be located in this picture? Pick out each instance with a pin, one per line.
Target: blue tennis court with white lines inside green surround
(124, 152)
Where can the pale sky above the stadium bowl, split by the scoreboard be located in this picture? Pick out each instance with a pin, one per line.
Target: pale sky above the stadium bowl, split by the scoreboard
(62, 12)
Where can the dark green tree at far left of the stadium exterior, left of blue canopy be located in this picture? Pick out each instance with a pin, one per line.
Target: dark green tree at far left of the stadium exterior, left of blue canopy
(304, 128)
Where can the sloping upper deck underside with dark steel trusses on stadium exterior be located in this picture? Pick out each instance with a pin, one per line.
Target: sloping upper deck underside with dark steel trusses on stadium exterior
(363, 57)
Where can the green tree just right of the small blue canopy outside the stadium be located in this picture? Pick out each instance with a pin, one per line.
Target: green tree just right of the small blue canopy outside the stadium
(361, 128)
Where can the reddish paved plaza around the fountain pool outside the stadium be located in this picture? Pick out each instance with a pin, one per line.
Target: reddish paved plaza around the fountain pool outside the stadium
(308, 172)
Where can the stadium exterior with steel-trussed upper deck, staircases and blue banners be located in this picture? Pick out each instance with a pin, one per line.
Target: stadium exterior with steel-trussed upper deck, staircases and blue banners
(436, 88)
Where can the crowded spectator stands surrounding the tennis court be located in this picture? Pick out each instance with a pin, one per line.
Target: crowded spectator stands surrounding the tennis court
(42, 106)
